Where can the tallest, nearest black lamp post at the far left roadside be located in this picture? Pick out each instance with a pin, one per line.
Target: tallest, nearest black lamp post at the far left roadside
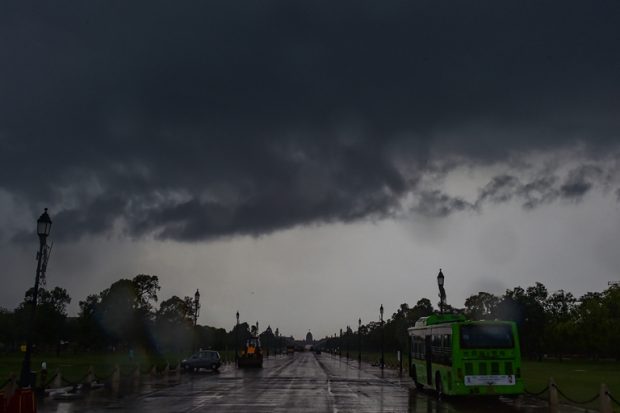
(44, 225)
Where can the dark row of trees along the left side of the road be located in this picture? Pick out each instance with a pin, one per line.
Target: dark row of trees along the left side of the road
(126, 316)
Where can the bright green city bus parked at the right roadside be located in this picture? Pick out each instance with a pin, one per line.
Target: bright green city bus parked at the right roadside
(456, 356)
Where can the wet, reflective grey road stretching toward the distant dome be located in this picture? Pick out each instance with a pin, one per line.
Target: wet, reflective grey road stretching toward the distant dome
(304, 382)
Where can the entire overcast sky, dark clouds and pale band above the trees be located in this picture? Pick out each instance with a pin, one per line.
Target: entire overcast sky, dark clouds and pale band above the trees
(304, 162)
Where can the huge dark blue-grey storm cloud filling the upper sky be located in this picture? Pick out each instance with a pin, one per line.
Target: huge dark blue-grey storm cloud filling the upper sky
(195, 120)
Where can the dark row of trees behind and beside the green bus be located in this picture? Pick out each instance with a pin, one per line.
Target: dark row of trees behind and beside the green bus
(554, 324)
